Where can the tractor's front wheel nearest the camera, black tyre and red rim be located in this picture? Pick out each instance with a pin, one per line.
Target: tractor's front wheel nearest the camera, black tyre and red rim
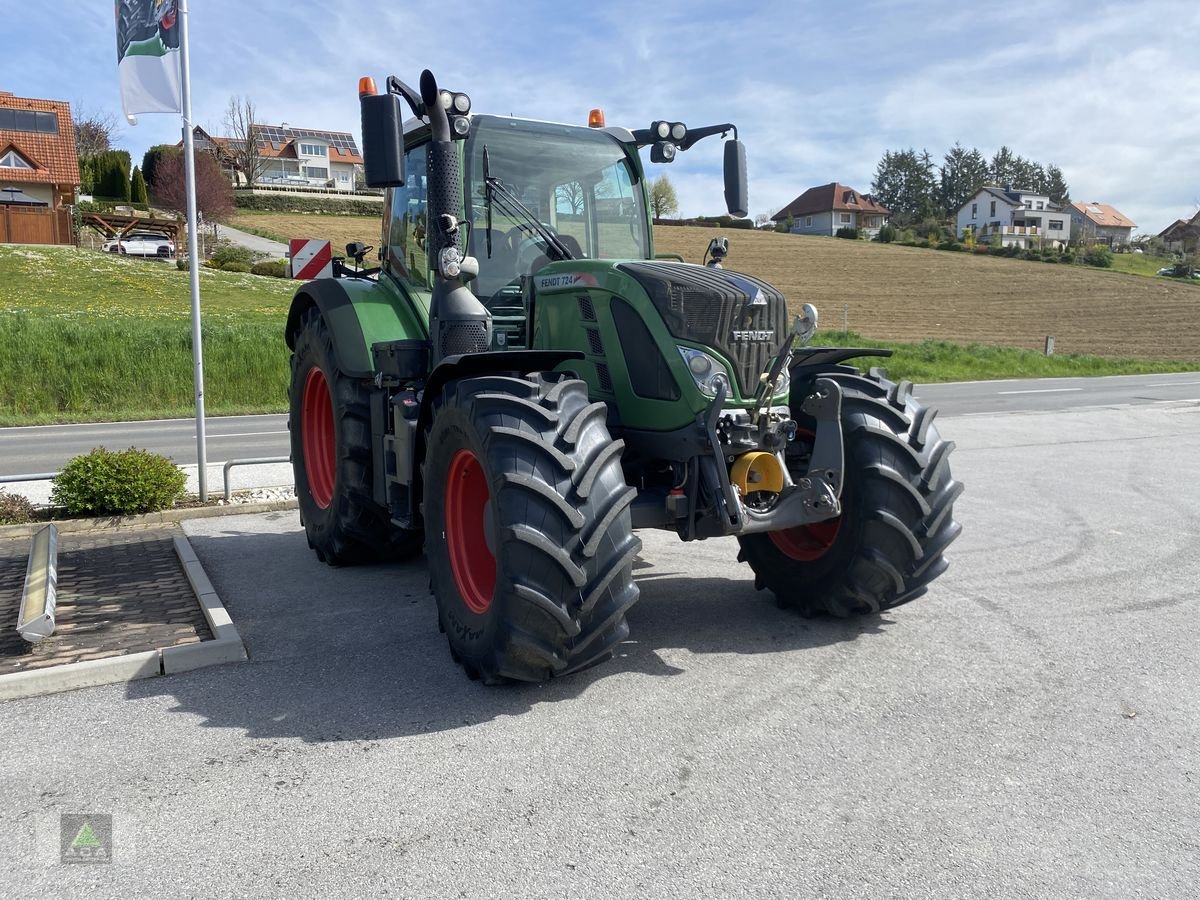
(530, 537)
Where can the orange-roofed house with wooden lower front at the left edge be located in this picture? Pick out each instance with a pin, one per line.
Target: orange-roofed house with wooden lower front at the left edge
(39, 171)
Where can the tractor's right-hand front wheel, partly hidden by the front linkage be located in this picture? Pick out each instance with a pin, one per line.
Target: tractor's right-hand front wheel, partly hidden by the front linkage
(898, 511)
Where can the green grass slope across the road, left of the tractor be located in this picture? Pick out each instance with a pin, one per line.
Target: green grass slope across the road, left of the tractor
(89, 337)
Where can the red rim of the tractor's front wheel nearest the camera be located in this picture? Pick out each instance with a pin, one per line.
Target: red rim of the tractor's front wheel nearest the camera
(471, 561)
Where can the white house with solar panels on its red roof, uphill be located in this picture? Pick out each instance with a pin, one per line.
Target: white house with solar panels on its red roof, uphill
(295, 158)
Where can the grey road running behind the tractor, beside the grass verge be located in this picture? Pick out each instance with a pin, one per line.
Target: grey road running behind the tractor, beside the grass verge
(26, 451)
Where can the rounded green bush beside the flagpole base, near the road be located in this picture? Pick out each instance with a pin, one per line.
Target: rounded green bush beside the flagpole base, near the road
(117, 484)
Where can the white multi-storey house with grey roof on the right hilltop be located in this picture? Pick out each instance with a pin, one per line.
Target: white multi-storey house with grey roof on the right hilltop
(1013, 217)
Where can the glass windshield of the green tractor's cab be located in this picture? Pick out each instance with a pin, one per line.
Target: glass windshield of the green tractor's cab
(579, 183)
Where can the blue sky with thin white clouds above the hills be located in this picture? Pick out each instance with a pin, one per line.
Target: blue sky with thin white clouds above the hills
(1108, 92)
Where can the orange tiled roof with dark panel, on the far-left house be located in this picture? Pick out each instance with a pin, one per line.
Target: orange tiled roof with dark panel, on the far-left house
(46, 143)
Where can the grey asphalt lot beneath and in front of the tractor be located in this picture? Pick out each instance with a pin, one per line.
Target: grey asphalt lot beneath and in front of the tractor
(1027, 730)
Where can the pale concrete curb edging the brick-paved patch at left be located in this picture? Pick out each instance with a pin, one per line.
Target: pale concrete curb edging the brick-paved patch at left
(226, 646)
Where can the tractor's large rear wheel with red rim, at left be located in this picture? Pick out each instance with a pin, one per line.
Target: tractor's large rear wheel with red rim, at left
(332, 458)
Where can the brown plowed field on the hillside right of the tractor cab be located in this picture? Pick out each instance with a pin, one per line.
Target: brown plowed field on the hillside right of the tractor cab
(911, 295)
